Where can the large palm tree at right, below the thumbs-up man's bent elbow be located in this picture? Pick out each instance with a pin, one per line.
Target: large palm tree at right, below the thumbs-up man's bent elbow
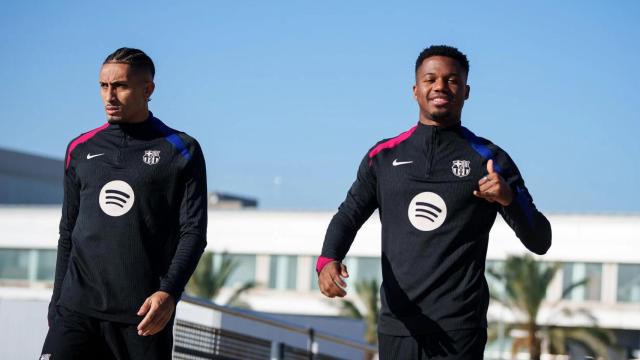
(526, 282)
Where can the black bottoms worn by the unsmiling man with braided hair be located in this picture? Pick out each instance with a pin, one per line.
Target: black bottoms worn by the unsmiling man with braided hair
(77, 336)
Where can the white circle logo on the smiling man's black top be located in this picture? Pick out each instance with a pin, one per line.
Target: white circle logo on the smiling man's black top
(427, 211)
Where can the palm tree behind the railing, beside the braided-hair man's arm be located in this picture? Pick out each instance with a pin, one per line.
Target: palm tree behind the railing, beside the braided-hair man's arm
(207, 280)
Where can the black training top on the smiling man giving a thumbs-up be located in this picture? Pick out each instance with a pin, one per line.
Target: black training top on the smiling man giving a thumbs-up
(435, 232)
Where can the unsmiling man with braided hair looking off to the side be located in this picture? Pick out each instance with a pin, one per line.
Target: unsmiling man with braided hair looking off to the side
(133, 225)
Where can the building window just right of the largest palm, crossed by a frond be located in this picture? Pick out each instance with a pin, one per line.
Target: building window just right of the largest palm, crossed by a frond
(576, 272)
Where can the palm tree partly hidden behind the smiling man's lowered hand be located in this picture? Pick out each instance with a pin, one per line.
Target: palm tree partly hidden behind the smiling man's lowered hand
(367, 292)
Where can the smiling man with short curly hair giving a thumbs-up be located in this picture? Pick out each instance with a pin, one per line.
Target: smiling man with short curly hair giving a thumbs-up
(438, 188)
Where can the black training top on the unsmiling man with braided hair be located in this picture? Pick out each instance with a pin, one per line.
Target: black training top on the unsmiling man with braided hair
(134, 218)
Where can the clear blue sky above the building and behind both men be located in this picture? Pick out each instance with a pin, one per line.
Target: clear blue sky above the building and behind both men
(286, 97)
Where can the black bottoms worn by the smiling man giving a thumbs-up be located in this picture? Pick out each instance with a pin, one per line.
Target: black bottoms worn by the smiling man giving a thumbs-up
(450, 345)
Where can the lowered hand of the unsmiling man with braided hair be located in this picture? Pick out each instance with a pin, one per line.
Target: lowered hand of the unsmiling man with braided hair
(158, 309)
